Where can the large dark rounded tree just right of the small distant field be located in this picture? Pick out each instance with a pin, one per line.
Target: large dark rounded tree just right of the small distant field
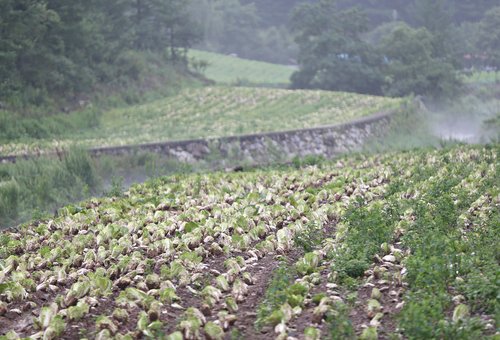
(332, 55)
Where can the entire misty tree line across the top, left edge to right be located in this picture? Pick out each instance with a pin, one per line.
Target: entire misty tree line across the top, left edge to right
(61, 49)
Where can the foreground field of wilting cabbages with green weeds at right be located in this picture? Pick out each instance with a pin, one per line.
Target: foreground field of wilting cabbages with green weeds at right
(401, 244)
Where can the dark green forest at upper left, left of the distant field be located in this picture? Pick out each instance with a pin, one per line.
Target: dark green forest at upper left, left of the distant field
(53, 48)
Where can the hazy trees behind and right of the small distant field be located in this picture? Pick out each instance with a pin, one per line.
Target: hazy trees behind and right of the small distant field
(341, 47)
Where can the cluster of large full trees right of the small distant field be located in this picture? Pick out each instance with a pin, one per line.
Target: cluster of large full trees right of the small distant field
(334, 56)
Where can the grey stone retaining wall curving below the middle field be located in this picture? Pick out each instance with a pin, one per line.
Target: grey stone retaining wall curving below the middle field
(327, 141)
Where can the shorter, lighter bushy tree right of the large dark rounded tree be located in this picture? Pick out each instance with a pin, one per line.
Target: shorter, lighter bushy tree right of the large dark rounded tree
(412, 68)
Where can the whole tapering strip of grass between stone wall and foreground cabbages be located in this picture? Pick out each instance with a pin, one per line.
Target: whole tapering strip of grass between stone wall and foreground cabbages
(38, 187)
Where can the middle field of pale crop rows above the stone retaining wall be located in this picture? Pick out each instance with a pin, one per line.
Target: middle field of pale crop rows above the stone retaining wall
(214, 112)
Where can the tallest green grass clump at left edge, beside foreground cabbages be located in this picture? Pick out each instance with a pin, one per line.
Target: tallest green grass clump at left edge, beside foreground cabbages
(34, 188)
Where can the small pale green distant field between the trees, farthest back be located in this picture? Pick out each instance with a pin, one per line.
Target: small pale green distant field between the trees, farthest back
(232, 70)
